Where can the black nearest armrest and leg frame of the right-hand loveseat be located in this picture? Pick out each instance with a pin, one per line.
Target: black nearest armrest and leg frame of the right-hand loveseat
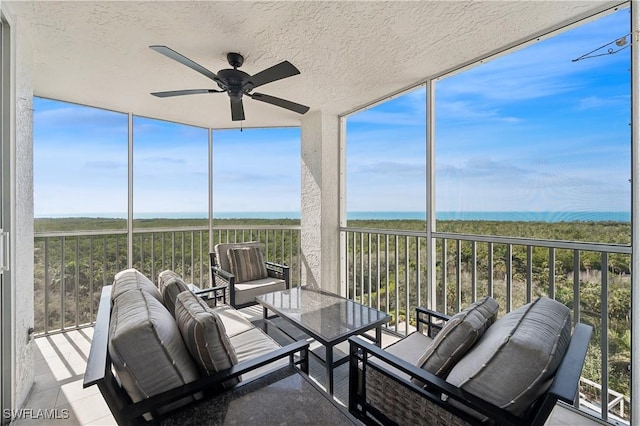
(361, 351)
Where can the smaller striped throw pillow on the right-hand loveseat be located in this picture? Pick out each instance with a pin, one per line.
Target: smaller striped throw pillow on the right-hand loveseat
(458, 335)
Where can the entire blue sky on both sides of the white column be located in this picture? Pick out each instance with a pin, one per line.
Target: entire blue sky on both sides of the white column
(529, 131)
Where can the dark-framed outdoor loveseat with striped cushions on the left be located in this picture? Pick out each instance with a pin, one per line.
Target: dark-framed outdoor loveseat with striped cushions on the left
(158, 350)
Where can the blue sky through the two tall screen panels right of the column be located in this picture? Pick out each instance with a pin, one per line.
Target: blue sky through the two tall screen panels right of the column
(529, 131)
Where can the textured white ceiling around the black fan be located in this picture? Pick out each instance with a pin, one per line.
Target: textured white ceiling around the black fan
(350, 53)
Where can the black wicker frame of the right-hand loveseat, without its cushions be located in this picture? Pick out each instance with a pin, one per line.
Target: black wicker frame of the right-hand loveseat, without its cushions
(380, 391)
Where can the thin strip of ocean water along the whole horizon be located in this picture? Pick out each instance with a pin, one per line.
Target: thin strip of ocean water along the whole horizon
(371, 215)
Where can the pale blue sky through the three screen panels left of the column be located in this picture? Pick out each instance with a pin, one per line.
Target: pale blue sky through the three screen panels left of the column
(254, 170)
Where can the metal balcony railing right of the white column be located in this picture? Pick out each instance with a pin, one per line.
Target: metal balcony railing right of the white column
(387, 270)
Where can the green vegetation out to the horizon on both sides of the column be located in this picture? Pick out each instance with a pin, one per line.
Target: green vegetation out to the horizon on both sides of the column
(385, 270)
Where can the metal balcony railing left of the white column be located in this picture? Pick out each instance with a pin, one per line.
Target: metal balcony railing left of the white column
(70, 268)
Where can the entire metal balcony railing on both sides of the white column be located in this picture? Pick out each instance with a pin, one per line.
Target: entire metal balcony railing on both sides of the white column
(385, 270)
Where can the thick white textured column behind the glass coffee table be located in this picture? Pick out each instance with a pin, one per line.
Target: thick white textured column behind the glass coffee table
(320, 191)
